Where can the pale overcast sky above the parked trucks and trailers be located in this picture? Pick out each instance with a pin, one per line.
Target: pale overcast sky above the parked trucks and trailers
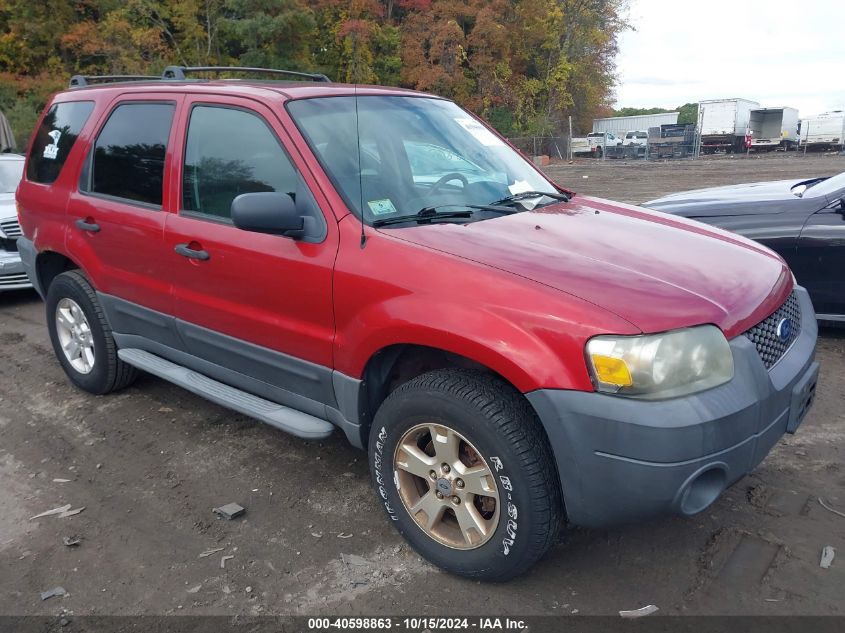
(770, 51)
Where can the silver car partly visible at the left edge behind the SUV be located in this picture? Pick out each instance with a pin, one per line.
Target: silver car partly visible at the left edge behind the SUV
(12, 273)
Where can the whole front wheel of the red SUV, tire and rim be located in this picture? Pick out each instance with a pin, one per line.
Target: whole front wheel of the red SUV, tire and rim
(464, 470)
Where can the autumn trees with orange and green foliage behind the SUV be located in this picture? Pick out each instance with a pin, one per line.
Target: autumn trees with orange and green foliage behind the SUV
(525, 65)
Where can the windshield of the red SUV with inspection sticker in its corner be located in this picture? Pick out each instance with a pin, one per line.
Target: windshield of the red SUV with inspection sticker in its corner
(415, 152)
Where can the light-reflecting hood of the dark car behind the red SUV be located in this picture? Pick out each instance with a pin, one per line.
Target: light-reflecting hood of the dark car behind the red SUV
(751, 198)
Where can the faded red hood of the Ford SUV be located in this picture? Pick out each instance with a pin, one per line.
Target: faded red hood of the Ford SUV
(656, 271)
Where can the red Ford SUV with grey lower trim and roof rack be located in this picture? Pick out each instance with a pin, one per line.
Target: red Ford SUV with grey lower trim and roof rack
(324, 256)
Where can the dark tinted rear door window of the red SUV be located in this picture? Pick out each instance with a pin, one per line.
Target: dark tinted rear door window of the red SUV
(128, 160)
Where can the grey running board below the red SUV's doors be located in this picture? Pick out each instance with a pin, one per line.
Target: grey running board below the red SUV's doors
(276, 415)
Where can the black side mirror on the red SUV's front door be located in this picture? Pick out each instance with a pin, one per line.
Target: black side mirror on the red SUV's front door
(268, 212)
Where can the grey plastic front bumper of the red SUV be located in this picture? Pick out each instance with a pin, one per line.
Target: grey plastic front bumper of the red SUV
(622, 459)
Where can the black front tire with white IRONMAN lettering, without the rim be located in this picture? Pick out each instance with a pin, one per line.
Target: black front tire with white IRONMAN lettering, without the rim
(503, 428)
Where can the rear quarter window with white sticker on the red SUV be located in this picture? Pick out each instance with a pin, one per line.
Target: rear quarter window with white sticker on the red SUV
(55, 138)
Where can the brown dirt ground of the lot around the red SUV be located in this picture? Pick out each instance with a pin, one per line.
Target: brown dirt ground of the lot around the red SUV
(148, 465)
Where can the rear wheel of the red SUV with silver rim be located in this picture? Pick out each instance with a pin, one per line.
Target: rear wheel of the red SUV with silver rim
(81, 337)
